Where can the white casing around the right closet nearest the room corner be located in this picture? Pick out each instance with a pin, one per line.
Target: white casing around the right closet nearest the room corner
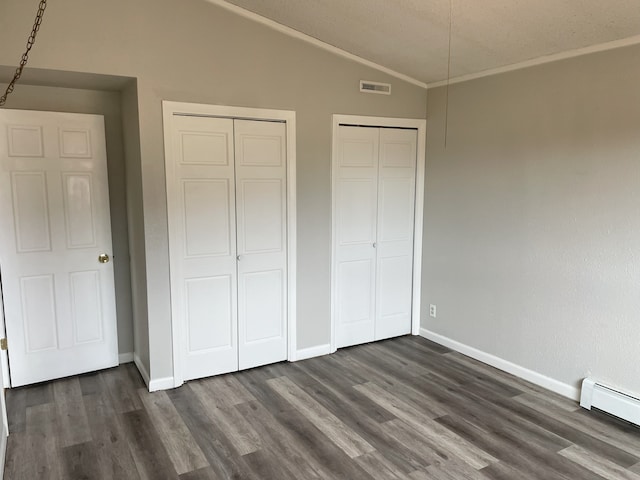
(421, 126)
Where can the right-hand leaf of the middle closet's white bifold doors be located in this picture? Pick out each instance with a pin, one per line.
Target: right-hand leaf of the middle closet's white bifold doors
(261, 183)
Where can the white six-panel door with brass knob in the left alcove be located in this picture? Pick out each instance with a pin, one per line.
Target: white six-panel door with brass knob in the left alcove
(55, 245)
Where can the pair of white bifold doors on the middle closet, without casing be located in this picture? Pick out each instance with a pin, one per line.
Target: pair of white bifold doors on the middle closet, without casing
(226, 190)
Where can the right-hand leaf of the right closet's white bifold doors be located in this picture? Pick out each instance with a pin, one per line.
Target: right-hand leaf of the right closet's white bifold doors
(396, 201)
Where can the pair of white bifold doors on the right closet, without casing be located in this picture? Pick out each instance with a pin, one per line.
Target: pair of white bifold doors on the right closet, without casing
(374, 202)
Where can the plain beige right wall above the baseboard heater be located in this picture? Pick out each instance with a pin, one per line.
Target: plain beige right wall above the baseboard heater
(532, 217)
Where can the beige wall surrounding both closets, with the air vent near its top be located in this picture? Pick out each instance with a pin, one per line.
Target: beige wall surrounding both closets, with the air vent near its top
(190, 50)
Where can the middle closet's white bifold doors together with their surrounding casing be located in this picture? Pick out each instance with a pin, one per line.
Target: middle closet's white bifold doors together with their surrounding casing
(257, 286)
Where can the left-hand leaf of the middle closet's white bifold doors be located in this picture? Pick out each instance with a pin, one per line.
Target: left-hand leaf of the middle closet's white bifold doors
(201, 193)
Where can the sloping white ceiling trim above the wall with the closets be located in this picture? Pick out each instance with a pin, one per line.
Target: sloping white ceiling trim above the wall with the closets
(314, 41)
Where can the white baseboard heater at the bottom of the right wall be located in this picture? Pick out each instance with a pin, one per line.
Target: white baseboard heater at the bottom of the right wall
(609, 400)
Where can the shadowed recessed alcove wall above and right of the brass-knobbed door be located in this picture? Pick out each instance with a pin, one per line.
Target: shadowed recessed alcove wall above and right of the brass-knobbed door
(107, 104)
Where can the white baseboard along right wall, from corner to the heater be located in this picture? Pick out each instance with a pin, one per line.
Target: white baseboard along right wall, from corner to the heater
(534, 377)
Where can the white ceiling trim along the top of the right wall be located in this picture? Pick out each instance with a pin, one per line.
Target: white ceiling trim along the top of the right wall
(578, 52)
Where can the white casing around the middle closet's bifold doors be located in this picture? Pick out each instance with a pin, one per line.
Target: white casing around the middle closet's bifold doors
(288, 117)
